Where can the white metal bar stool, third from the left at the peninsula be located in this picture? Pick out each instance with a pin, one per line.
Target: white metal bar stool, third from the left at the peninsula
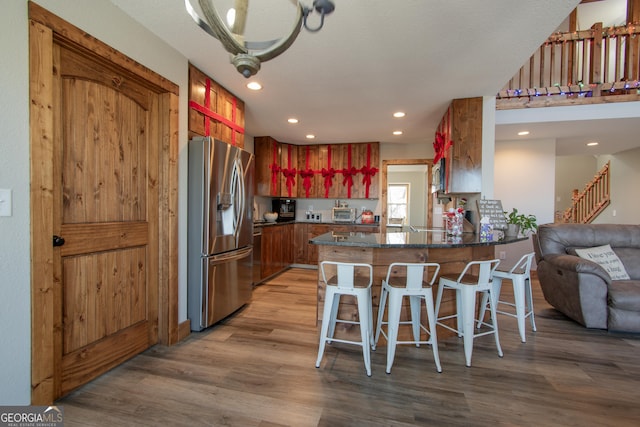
(466, 286)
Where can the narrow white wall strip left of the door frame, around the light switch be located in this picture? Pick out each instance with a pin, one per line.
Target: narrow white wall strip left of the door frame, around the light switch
(15, 303)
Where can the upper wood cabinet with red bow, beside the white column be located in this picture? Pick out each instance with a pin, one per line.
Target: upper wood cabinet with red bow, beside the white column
(458, 147)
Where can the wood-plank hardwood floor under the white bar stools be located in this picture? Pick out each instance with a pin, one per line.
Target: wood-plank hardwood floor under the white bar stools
(257, 368)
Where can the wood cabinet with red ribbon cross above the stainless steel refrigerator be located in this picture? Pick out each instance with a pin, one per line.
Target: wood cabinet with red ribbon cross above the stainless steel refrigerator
(214, 111)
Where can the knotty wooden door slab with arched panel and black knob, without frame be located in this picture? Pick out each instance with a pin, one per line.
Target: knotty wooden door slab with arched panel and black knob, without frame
(105, 209)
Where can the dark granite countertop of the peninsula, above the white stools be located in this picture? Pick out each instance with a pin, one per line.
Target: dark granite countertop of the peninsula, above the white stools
(436, 238)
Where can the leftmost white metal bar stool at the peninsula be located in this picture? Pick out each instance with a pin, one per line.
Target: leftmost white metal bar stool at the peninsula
(346, 282)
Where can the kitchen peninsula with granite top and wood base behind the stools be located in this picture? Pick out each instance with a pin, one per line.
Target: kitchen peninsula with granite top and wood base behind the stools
(382, 249)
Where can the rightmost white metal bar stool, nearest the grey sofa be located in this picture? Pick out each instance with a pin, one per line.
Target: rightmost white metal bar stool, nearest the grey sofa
(520, 276)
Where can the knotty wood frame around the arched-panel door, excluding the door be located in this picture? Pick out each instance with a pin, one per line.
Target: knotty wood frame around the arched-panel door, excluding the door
(44, 28)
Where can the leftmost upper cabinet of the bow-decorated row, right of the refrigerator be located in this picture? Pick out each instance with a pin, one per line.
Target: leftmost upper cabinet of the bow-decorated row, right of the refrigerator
(267, 166)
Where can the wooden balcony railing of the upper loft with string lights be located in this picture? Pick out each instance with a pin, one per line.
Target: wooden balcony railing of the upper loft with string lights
(592, 63)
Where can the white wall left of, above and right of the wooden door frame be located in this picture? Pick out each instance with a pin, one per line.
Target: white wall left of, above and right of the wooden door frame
(99, 18)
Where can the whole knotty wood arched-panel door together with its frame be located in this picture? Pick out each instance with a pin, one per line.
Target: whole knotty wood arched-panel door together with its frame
(104, 149)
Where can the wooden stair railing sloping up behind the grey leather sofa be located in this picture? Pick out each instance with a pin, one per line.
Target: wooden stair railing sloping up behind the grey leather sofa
(589, 203)
